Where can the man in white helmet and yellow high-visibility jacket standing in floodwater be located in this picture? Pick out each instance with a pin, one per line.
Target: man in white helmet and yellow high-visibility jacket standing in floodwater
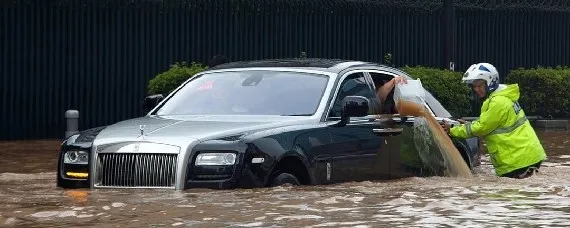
(512, 144)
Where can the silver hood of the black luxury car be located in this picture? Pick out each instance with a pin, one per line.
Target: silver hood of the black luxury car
(181, 130)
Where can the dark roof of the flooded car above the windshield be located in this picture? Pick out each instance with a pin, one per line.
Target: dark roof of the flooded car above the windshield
(329, 65)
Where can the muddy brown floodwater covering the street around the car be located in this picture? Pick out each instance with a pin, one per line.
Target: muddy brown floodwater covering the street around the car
(29, 198)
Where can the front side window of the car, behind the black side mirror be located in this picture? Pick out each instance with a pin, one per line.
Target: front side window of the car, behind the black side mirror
(353, 85)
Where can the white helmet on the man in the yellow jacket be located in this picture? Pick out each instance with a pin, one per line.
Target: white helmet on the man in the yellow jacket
(484, 71)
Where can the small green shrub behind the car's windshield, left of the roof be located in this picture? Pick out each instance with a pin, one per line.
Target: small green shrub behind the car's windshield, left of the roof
(167, 81)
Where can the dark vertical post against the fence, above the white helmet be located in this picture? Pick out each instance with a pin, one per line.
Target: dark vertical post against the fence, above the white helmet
(450, 44)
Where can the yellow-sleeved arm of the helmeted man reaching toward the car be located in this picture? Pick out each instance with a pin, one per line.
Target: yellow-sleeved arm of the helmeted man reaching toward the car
(488, 121)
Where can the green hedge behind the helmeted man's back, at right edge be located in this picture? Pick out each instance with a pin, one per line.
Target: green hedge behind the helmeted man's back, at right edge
(544, 91)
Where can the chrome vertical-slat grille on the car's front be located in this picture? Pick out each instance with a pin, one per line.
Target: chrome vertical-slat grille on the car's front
(136, 170)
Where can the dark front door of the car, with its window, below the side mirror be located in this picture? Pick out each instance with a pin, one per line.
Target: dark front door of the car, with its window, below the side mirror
(357, 152)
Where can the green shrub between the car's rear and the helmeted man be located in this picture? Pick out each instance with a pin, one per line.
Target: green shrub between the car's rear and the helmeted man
(446, 87)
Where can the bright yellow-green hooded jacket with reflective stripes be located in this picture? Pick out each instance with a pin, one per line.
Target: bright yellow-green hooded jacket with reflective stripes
(511, 141)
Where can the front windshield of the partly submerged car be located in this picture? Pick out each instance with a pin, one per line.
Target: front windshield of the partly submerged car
(249, 93)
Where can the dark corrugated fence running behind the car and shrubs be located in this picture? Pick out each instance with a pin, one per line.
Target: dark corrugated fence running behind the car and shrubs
(97, 56)
